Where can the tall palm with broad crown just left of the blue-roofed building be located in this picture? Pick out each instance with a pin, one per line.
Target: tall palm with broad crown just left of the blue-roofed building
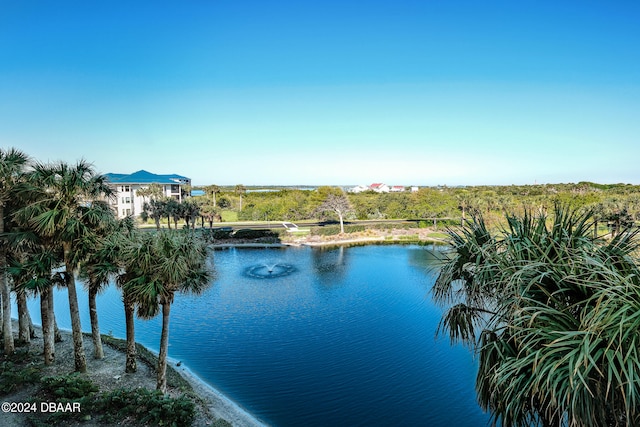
(65, 213)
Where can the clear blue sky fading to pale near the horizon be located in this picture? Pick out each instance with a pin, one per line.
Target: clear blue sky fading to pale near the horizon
(327, 92)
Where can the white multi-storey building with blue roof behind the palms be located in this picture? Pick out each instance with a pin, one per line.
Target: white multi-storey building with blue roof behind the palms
(125, 187)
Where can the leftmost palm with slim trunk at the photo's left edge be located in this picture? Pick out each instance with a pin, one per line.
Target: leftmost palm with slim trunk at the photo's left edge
(13, 163)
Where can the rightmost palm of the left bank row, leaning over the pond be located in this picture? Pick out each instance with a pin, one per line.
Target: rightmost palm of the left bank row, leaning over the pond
(166, 262)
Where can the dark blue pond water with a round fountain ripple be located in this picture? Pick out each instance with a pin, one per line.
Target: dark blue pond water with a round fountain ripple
(316, 337)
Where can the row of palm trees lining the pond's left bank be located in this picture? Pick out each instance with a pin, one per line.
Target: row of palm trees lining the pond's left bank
(56, 225)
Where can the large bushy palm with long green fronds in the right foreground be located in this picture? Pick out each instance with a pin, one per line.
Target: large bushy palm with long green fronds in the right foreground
(552, 313)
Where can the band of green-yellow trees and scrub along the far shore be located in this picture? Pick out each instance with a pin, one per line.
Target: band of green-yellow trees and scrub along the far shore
(616, 205)
